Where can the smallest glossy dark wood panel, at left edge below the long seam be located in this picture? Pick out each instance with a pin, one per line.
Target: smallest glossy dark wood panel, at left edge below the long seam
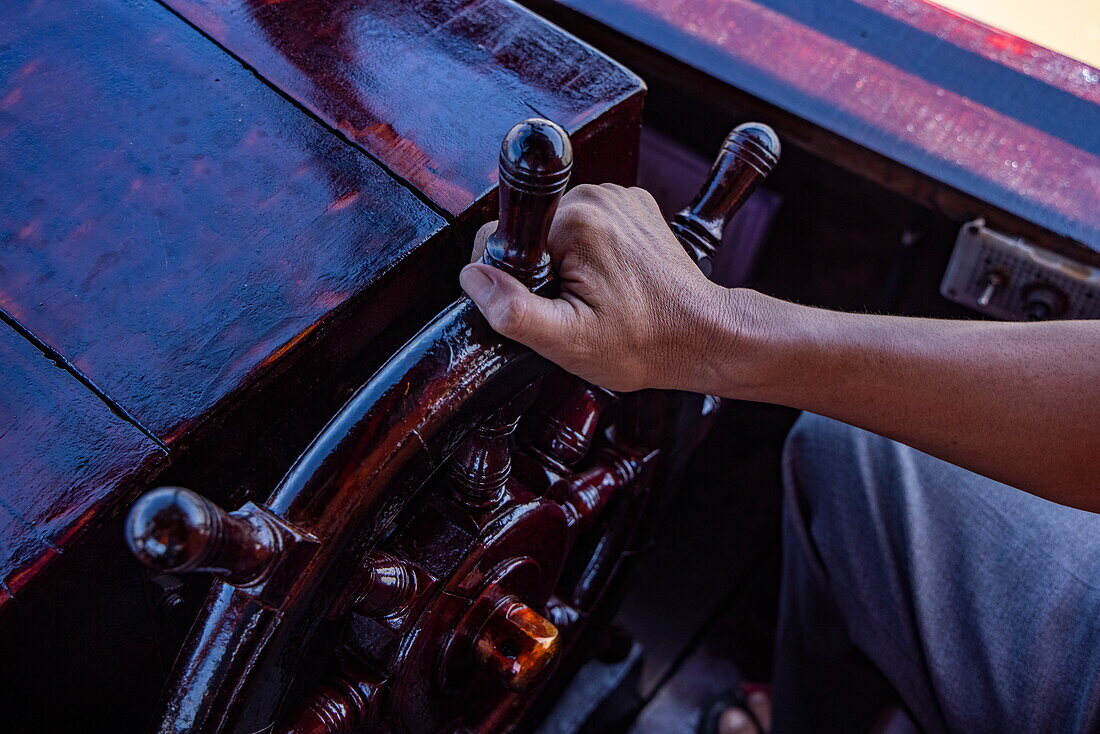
(68, 461)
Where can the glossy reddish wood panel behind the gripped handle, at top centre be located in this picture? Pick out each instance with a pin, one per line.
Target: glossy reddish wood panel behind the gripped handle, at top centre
(427, 89)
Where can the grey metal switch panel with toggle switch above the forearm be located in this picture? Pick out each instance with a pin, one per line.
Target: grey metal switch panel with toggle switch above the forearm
(1013, 280)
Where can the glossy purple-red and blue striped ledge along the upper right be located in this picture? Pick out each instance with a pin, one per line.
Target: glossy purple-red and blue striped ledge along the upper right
(993, 116)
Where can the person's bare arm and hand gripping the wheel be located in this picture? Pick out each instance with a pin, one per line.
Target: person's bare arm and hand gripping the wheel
(1017, 402)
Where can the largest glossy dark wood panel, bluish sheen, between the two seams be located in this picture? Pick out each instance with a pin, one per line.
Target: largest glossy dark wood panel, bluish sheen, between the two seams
(170, 224)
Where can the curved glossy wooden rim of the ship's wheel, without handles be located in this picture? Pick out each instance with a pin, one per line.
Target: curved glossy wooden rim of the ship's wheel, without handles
(353, 481)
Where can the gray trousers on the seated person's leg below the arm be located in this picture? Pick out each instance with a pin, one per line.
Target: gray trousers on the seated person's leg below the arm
(976, 605)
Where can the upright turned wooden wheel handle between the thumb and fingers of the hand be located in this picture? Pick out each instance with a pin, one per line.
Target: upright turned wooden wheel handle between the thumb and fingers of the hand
(536, 161)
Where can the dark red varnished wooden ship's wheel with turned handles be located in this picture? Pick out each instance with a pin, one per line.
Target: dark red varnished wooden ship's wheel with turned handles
(443, 553)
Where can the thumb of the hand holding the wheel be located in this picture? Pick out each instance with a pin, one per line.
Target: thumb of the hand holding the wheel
(510, 308)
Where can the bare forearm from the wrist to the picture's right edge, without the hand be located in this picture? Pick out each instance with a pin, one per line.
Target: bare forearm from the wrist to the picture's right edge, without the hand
(1016, 402)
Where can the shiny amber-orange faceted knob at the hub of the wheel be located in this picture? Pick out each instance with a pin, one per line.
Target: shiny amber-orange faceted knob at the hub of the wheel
(519, 644)
